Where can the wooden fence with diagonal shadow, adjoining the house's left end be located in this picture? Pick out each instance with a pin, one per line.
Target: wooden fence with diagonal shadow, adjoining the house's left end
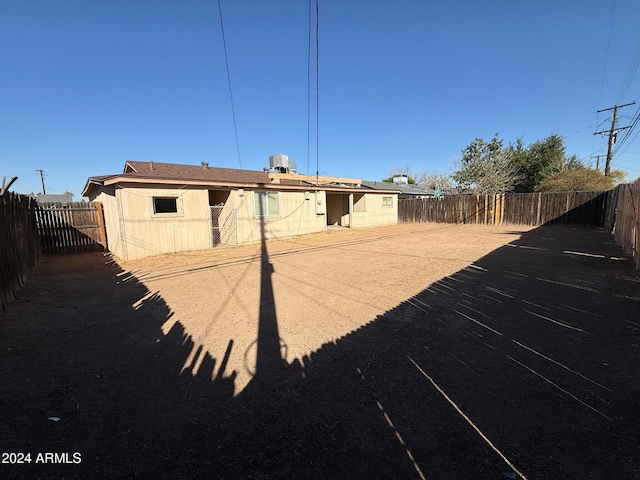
(71, 228)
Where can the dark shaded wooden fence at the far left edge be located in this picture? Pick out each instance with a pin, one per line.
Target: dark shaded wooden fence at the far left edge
(19, 244)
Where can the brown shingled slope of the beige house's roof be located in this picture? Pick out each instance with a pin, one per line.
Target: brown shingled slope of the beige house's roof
(176, 171)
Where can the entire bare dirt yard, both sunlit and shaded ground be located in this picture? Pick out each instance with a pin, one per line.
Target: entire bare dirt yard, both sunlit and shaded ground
(414, 351)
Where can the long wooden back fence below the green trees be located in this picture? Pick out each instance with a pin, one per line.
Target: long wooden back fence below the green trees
(568, 208)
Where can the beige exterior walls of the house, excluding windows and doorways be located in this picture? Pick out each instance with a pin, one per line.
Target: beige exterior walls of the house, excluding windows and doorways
(134, 231)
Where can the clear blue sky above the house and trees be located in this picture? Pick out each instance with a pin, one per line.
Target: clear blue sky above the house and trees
(87, 85)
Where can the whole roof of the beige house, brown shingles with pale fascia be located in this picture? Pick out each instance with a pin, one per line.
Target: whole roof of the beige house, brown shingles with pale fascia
(203, 175)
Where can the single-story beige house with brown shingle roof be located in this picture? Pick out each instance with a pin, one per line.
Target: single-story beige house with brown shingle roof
(157, 208)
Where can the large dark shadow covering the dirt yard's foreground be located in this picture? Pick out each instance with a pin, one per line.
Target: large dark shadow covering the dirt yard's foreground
(523, 363)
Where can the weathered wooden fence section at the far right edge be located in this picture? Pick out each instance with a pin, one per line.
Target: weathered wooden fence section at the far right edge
(623, 218)
